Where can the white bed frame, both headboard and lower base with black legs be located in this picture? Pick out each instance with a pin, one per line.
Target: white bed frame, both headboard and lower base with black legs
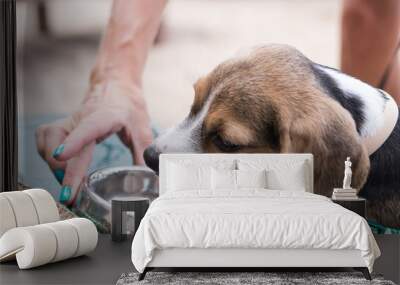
(236, 259)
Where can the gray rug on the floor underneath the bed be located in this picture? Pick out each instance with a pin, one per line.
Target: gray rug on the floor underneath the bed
(230, 278)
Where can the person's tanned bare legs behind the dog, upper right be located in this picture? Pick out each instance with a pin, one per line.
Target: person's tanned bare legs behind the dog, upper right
(370, 35)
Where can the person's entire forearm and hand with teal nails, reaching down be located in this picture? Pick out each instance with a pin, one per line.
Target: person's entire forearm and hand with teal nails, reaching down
(113, 104)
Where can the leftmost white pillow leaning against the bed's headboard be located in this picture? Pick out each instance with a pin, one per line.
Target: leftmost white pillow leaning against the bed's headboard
(181, 177)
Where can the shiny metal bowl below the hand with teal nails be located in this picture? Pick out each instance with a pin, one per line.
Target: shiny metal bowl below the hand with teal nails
(106, 184)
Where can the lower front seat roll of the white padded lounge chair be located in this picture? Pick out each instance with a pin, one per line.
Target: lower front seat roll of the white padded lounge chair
(40, 244)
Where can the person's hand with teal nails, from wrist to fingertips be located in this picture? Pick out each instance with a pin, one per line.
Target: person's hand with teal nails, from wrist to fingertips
(67, 145)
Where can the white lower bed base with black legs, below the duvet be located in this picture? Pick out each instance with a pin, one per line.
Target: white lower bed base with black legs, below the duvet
(233, 259)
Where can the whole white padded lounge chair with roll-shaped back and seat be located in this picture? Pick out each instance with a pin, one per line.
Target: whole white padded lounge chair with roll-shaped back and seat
(31, 231)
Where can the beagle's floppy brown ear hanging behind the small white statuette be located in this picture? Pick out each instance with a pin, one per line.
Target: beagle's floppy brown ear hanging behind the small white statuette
(330, 134)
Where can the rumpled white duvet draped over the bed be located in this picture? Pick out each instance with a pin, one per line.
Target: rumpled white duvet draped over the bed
(250, 219)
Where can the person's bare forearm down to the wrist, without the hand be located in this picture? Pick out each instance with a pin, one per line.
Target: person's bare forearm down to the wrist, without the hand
(132, 28)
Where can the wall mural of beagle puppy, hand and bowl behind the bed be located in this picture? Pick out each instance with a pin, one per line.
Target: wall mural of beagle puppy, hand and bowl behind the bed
(103, 93)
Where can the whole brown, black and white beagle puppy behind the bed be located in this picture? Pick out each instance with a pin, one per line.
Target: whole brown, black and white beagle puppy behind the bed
(275, 100)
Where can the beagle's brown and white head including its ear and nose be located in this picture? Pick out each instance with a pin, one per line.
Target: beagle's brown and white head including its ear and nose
(268, 101)
